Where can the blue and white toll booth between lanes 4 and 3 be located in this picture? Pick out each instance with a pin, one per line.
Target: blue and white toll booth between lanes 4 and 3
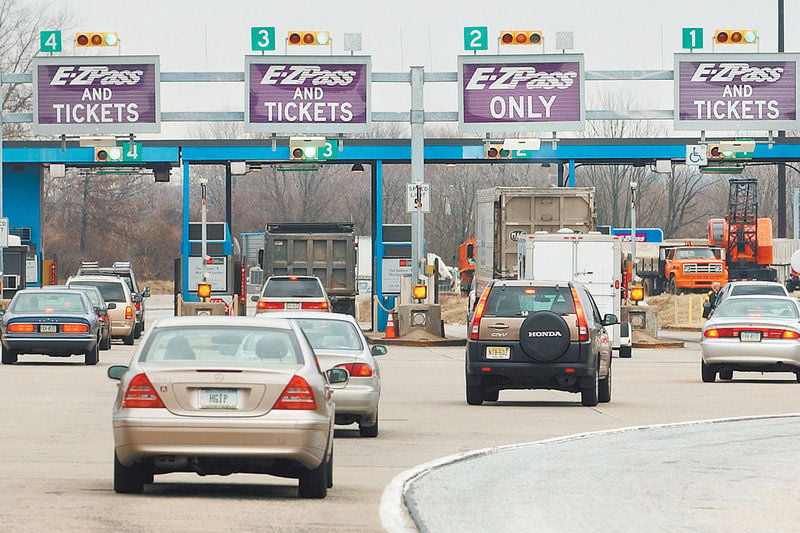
(222, 266)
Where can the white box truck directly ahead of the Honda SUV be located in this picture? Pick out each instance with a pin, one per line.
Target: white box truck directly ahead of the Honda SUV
(593, 259)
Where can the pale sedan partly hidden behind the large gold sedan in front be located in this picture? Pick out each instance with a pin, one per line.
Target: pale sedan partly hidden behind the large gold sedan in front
(338, 342)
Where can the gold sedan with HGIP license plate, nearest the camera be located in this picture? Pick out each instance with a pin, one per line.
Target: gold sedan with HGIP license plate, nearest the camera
(192, 401)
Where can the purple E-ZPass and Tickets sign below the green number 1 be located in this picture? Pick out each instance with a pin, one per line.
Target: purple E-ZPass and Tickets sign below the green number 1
(732, 91)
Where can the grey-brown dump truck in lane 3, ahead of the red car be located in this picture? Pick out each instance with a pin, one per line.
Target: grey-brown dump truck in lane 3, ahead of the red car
(324, 250)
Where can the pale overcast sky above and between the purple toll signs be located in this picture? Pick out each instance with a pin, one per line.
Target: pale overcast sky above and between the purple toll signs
(214, 35)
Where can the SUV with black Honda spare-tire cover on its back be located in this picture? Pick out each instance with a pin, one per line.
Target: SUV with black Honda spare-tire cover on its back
(528, 334)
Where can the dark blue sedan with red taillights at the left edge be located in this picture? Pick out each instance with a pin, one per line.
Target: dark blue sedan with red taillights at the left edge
(58, 323)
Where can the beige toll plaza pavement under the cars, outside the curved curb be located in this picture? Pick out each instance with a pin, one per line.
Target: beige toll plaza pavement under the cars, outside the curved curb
(56, 441)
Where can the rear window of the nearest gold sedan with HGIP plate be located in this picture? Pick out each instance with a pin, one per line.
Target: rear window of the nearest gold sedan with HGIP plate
(223, 344)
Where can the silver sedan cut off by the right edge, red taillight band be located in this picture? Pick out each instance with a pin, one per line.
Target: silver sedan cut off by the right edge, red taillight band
(752, 334)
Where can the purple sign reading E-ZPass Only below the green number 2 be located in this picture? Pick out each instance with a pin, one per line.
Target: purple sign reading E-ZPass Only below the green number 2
(521, 93)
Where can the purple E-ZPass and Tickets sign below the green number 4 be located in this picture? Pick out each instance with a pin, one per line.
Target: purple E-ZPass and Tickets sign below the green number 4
(89, 95)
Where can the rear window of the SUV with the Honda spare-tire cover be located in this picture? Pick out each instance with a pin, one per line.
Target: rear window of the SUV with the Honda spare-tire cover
(510, 301)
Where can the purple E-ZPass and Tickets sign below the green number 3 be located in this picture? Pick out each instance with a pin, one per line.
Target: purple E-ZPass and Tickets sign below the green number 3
(294, 94)
